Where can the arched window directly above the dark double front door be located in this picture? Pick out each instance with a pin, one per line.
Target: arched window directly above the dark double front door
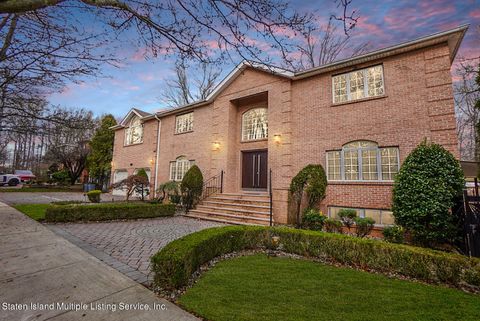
(255, 124)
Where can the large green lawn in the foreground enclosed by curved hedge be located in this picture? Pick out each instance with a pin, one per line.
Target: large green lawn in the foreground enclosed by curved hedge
(260, 288)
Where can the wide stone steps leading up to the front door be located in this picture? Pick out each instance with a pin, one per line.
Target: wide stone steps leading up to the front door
(234, 208)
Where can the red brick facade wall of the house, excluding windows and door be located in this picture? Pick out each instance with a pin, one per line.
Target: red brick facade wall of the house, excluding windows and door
(418, 104)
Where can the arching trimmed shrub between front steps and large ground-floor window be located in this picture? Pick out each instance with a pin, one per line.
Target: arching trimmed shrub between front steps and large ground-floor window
(312, 181)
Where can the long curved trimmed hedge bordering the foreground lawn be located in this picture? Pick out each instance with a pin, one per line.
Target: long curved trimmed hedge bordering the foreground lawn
(175, 263)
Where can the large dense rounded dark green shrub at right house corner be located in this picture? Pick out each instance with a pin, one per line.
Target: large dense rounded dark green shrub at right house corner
(425, 190)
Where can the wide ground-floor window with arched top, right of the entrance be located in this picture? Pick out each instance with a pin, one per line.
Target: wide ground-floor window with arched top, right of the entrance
(362, 161)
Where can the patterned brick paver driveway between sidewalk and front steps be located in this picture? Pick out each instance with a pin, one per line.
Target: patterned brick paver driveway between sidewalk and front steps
(127, 246)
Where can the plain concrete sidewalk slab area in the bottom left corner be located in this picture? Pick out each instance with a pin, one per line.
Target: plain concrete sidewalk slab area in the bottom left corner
(39, 267)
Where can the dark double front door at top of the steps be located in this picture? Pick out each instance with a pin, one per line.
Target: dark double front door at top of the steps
(254, 169)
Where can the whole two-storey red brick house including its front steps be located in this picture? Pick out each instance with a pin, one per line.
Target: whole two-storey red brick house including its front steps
(359, 118)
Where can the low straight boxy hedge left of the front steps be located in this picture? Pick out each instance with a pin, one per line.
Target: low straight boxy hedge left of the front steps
(104, 212)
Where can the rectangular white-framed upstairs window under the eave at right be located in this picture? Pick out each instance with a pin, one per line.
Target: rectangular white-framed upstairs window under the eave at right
(358, 84)
